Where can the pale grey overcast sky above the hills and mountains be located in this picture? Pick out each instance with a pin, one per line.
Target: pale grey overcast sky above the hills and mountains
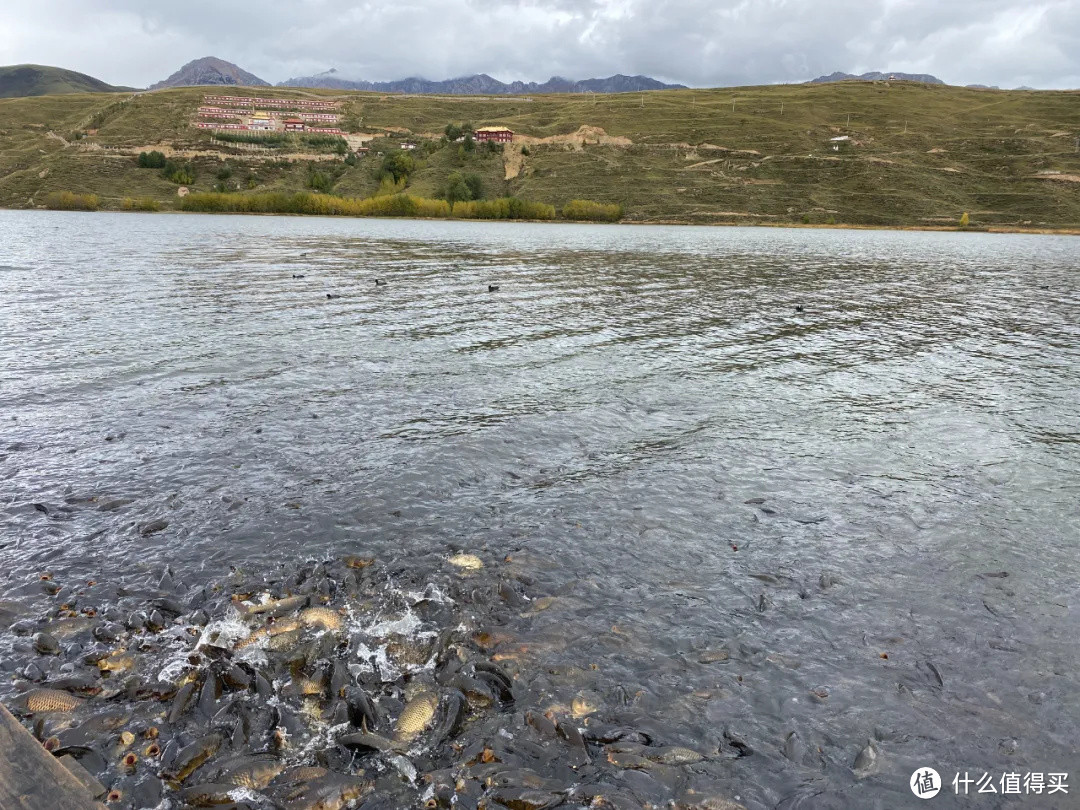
(696, 43)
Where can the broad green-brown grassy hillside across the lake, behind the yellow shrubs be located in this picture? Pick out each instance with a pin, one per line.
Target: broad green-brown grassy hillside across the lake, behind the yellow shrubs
(915, 155)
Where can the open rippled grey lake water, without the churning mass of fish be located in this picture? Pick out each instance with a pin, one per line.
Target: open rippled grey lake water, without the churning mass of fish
(748, 464)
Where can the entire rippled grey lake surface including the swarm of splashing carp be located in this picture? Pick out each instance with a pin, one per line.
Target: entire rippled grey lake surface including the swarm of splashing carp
(678, 518)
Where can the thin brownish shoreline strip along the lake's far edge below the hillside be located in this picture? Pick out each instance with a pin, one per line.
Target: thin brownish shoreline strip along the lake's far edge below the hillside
(1064, 232)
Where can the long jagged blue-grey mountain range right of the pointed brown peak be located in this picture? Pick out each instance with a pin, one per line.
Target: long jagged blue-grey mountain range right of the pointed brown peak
(483, 85)
